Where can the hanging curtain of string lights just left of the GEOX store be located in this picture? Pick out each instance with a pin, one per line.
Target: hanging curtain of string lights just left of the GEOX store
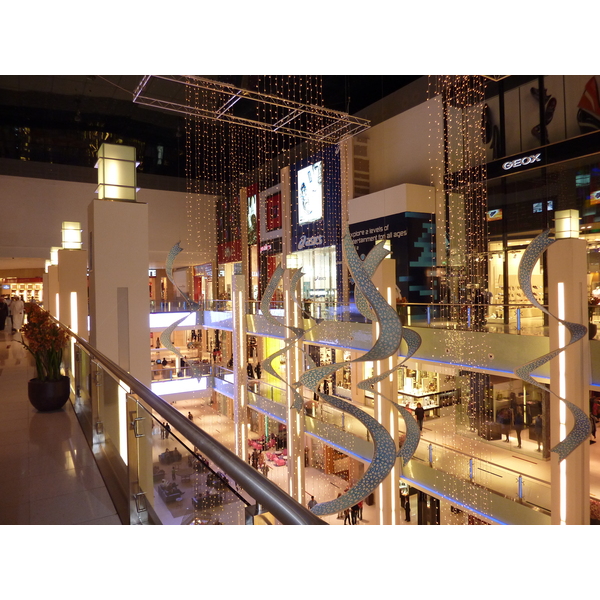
(457, 154)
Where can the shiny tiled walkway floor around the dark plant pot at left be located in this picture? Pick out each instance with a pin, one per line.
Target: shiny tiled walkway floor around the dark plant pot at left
(47, 469)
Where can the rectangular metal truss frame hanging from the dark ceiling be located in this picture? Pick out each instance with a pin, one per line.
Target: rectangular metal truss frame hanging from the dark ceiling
(317, 123)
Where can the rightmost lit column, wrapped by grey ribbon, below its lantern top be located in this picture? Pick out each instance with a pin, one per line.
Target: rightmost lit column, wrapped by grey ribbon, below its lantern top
(570, 379)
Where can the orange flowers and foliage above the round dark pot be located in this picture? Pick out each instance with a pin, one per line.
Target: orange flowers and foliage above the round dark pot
(45, 341)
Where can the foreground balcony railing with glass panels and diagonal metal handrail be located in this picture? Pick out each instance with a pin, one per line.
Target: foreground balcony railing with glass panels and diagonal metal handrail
(160, 467)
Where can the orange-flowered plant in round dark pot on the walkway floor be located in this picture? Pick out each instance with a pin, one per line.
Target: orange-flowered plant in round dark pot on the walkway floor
(46, 341)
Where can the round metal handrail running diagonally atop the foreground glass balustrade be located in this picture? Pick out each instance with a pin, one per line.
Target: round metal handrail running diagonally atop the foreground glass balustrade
(283, 507)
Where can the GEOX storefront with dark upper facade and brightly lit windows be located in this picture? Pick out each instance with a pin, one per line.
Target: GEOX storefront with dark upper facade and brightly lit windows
(541, 171)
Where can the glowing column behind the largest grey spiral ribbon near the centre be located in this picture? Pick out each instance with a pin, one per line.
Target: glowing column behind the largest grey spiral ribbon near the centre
(387, 495)
